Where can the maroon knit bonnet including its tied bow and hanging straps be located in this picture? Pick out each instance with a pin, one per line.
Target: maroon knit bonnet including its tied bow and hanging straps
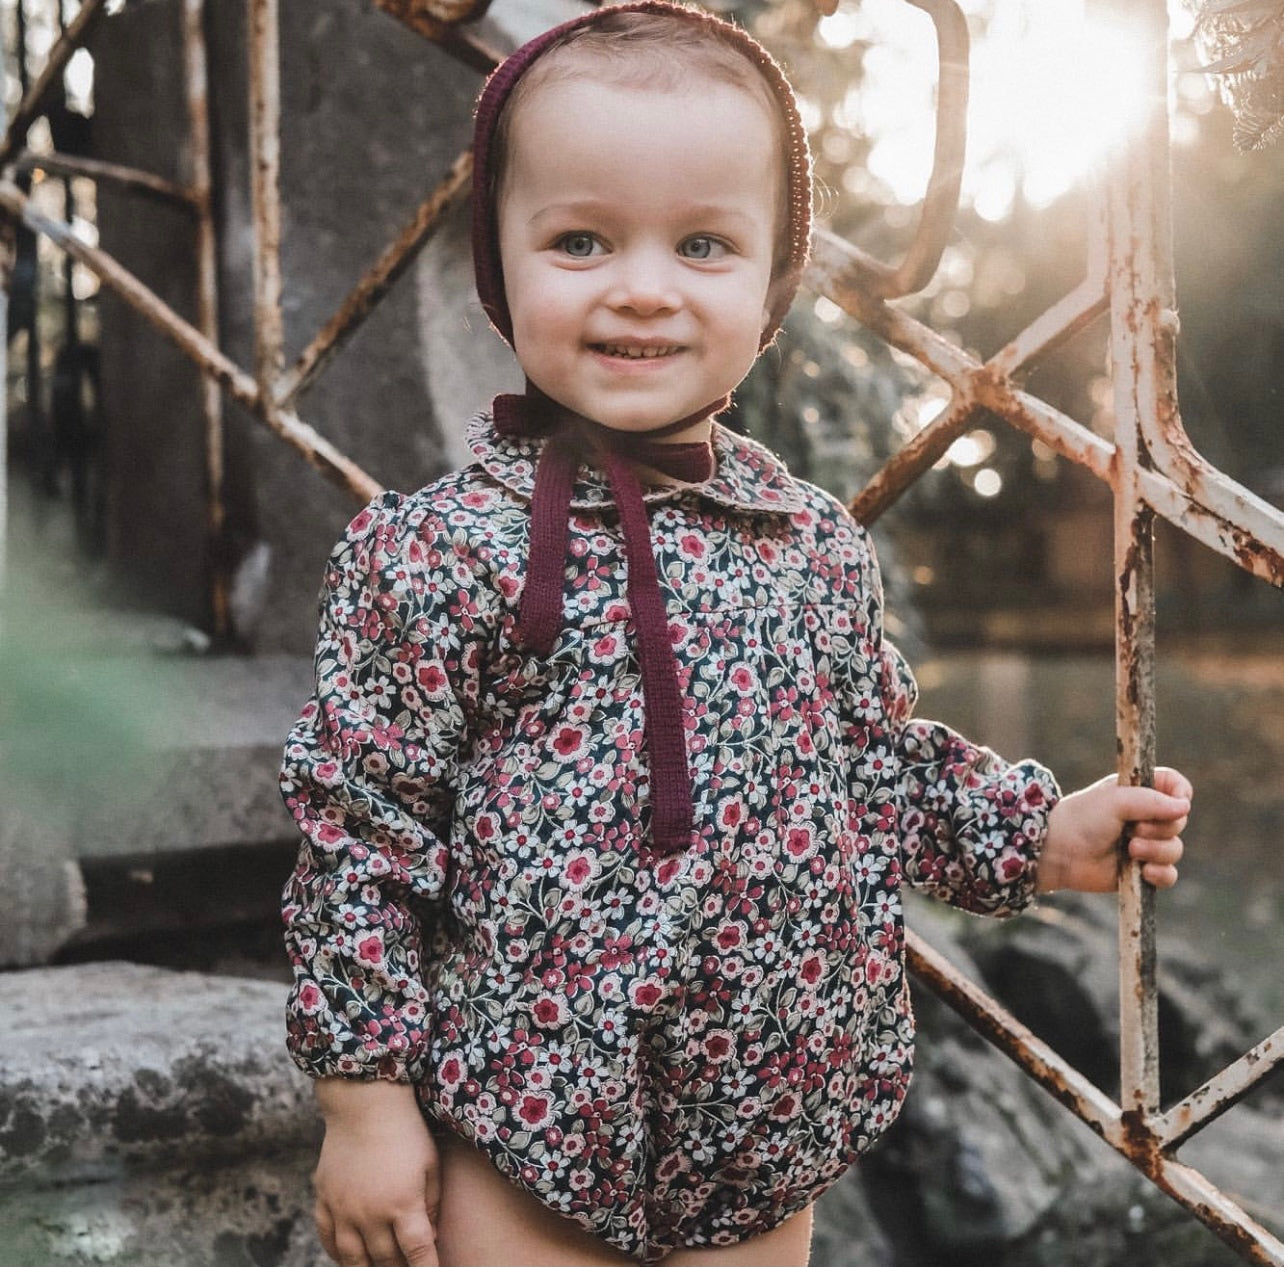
(573, 441)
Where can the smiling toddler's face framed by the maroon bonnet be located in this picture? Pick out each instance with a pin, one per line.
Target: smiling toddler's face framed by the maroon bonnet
(636, 233)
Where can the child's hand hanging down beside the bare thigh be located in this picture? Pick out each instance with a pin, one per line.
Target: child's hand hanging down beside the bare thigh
(378, 1188)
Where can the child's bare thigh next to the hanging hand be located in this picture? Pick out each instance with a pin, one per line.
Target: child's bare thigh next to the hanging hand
(486, 1221)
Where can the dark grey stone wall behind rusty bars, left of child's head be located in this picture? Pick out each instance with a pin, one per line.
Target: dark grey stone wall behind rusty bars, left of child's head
(373, 116)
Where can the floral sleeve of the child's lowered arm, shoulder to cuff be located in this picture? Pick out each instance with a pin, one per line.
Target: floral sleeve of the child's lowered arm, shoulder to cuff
(369, 777)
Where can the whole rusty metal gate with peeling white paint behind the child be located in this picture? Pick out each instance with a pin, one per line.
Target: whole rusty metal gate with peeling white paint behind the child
(1151, 468)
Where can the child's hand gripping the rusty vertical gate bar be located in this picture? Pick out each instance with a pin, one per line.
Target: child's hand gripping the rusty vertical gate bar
(1086, 827)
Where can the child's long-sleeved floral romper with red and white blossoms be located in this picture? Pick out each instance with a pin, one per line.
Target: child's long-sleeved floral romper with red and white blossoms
(673, 1051)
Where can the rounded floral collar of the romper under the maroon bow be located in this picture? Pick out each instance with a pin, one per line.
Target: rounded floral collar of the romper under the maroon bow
(749, 478)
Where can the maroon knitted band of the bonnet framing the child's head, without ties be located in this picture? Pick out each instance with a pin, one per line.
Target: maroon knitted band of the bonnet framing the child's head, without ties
(499, 88)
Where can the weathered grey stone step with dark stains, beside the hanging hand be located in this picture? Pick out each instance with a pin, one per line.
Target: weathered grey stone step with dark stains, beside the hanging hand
(151, 1119)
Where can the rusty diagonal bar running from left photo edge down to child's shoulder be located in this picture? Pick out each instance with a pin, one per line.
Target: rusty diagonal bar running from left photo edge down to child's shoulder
(317, 450)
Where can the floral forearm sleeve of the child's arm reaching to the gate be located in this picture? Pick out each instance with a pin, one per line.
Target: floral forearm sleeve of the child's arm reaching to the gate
(971, 825)
